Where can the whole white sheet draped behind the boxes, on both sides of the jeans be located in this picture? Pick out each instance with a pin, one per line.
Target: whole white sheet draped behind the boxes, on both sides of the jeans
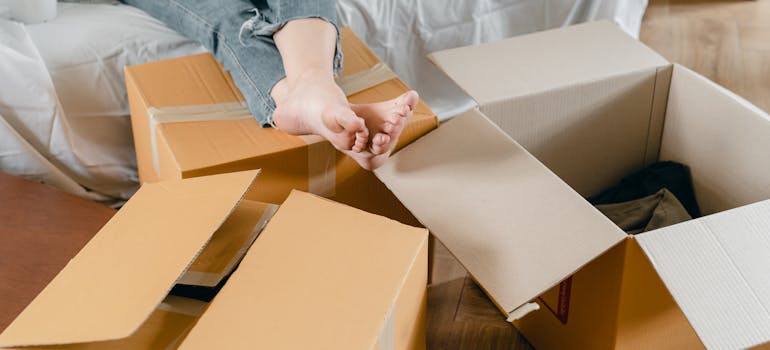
(64, 117)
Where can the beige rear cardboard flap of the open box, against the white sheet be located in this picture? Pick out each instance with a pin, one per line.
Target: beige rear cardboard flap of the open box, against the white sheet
(544, 61)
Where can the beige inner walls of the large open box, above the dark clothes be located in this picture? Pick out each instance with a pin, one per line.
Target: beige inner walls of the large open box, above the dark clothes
(594, 134)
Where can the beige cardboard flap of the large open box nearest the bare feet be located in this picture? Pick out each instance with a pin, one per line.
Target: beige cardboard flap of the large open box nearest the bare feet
(514, 225)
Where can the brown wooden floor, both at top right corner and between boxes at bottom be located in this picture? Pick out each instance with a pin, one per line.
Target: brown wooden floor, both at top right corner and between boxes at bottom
(728, 41)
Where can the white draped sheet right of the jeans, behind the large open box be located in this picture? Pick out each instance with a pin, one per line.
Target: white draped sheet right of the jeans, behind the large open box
(402, 32)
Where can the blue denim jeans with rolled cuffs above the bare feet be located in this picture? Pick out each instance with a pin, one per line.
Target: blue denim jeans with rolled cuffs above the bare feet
(240, 34)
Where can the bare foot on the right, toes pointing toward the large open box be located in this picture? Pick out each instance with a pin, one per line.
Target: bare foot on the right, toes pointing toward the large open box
(385, 121)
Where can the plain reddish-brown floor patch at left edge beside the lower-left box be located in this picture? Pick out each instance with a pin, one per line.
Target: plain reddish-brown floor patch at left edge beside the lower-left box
(41, 229)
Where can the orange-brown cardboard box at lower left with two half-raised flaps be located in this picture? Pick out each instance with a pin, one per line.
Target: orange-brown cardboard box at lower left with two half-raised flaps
(312, 262)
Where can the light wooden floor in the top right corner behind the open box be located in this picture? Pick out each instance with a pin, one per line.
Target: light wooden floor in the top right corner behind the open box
(727, 41)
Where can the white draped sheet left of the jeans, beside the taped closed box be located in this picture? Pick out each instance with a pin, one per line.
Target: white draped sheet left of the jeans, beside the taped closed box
(63, 96)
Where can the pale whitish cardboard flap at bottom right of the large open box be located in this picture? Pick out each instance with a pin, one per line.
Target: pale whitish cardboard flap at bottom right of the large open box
(717, 268)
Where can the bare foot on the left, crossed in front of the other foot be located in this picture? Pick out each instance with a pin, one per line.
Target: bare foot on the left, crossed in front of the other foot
(314, 104)
